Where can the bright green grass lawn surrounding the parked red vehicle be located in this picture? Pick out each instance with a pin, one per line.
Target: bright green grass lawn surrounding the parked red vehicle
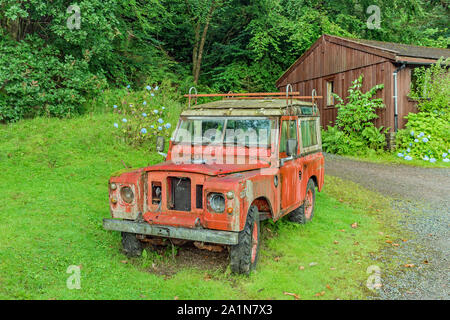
(54, 197)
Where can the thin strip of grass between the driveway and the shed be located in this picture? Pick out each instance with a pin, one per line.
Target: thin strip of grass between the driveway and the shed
(392, 158)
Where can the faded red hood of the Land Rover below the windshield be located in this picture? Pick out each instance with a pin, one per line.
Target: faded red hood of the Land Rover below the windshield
(210, 169)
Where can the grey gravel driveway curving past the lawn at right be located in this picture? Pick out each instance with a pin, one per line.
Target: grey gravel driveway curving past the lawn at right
(422, 198)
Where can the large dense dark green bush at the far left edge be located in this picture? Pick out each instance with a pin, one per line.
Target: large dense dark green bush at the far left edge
(34, 81)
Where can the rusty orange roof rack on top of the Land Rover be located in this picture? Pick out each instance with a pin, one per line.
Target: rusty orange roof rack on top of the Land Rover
(289, 95)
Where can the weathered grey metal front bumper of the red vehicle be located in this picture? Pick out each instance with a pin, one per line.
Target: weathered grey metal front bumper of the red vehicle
(204, 235)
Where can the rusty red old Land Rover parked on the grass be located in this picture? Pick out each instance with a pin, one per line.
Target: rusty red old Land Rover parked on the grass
(230, 164)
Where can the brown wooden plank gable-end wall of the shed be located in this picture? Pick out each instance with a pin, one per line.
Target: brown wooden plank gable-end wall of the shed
(343, 65)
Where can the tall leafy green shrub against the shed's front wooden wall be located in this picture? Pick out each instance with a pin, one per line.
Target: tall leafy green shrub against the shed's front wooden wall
(354, 132)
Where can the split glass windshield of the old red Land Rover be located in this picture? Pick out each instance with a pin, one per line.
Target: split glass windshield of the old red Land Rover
(237, 131)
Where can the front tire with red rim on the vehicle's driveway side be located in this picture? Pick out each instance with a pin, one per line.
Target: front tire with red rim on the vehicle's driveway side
(244, 255)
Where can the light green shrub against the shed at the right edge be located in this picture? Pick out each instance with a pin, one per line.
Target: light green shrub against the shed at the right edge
(432, 87)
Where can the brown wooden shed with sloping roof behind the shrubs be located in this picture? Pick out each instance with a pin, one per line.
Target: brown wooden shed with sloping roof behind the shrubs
(332, 63)
